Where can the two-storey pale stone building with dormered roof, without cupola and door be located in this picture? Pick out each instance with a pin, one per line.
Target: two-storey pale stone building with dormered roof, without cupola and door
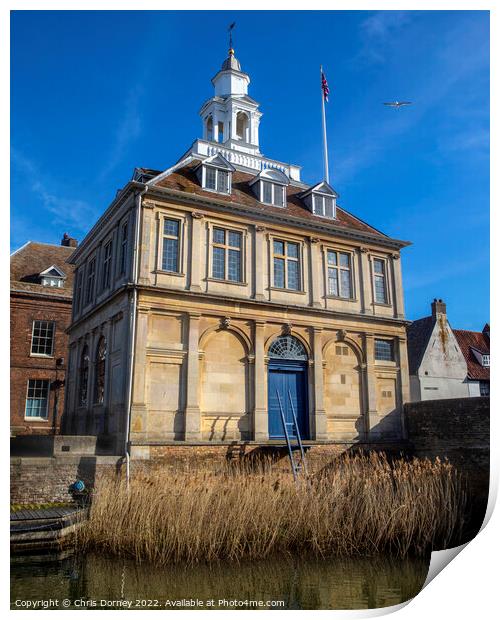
(188, 350)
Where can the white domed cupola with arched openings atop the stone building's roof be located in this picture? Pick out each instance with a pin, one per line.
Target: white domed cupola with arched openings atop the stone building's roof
(231, 117)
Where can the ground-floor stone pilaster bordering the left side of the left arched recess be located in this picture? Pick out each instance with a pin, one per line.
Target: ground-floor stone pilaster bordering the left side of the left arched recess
(192, 418)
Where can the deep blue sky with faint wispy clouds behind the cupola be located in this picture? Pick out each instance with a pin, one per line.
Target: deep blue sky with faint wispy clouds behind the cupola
(95, 94)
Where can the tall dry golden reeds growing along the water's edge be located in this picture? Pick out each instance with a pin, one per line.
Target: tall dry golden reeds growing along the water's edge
(363, 504)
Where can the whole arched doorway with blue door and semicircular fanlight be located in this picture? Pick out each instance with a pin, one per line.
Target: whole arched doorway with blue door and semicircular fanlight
(287, 381)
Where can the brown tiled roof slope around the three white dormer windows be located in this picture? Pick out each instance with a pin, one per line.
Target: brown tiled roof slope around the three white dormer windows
(185, 180)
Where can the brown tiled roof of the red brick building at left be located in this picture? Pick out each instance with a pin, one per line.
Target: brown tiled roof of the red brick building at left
(29, 261)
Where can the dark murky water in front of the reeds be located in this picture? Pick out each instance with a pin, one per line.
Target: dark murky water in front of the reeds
(93, 581)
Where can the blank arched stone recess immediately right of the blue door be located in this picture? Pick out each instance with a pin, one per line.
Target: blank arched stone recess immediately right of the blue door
(343, 389)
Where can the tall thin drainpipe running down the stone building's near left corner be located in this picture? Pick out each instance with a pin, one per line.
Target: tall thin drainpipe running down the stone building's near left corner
(133, 322)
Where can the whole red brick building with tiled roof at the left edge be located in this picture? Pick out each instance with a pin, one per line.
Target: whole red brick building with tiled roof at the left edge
(41, 292)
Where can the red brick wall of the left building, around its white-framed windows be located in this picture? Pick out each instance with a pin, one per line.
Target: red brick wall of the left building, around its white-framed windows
(24, 309)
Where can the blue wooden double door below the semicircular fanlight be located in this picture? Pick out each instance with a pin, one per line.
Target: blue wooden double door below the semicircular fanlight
(287, 379)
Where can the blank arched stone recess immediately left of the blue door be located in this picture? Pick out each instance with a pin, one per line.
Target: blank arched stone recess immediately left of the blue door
(224, 386)
